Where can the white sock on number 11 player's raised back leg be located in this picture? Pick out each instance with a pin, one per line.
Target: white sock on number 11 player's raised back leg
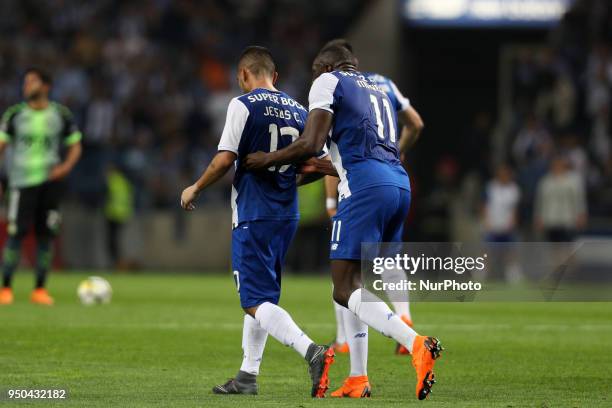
(376, 314)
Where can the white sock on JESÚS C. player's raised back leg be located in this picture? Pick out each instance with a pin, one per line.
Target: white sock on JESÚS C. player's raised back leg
(277, 322)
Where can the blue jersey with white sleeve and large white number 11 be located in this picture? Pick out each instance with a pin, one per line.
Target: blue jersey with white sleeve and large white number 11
(364, 134)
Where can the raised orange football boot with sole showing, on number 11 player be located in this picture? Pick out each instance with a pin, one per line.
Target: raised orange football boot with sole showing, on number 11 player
(425, 350)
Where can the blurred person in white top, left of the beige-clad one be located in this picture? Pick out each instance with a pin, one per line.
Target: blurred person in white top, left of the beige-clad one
(500, 215)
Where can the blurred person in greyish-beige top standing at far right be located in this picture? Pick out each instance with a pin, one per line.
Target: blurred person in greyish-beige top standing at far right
(560, 209)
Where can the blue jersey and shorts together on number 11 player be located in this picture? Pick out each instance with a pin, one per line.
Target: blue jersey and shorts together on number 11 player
(374, 189)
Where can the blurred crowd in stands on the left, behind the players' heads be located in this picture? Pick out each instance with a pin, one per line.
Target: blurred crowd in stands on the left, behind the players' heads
(149, 80)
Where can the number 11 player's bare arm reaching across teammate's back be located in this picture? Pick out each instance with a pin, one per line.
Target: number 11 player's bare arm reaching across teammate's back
(309, 144)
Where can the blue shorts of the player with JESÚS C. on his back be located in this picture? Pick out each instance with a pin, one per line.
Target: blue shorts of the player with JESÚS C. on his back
(258, 254)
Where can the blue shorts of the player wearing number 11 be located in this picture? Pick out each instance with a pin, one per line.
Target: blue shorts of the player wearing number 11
(375, 214)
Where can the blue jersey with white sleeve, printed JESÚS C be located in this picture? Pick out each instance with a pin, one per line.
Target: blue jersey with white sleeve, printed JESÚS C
(263, 120)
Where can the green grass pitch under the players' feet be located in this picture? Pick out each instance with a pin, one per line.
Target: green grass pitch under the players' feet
(166, 340)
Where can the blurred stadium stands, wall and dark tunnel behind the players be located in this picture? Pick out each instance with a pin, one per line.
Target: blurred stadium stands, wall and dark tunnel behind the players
(149, 82)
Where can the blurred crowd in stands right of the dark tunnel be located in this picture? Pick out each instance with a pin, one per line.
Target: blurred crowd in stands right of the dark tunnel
(557, 170)
